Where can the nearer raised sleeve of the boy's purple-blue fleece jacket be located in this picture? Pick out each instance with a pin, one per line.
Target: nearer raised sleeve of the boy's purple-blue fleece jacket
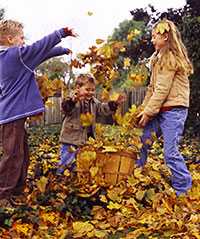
(34, 54)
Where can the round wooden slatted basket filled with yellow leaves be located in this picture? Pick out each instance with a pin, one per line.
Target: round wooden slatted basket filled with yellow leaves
(112, 168)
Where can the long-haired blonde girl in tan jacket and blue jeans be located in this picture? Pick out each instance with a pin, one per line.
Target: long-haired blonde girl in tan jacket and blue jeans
(167, 100)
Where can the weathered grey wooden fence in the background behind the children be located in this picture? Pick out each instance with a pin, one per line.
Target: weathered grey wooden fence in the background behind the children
(53, 113)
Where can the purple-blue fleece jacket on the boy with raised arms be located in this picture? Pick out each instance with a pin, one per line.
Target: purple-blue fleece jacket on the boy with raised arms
(19, 93)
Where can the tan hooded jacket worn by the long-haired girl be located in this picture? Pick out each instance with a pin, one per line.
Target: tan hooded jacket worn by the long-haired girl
(169, 86)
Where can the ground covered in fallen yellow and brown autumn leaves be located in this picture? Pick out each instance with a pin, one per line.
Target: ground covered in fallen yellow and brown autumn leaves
(143, 206)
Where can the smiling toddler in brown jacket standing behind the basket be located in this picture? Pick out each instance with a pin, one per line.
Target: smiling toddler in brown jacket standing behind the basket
(75, 130)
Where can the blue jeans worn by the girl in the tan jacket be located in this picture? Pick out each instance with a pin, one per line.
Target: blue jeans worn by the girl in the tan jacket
(171, 124)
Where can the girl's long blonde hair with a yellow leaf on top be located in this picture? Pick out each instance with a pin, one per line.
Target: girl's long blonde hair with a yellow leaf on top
(175, 53)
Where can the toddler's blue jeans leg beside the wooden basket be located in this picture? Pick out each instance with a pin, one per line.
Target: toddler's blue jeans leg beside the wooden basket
(67, 157)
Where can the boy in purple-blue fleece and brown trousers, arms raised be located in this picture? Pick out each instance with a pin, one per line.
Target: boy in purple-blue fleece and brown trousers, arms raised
(20, 98)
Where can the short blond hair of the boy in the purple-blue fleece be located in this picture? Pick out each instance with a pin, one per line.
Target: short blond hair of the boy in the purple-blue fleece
(9, 28)
